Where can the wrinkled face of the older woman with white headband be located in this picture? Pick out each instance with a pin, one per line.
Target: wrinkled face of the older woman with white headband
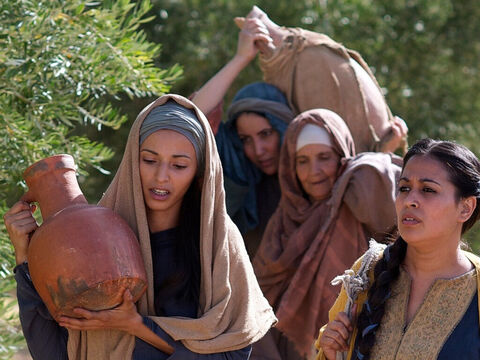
(317, 166)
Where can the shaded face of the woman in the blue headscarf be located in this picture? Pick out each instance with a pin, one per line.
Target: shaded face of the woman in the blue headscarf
(261, 142)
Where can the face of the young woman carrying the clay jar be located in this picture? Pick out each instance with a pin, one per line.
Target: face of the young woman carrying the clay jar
(168, 165)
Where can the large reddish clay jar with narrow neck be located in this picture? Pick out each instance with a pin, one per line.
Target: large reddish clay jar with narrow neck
(82, 255)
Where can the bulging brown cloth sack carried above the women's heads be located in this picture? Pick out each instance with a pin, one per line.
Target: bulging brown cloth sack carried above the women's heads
(314, 71)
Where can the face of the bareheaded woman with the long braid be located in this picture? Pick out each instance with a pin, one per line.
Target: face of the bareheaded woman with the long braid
(428, 209)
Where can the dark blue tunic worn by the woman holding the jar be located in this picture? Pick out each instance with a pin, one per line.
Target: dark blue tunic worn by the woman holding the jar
(47, 340)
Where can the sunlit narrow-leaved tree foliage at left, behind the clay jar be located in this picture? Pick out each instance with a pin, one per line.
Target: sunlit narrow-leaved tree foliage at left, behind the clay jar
(63, 65)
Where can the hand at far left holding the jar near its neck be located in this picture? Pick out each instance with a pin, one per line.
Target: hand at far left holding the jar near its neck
(19, 223)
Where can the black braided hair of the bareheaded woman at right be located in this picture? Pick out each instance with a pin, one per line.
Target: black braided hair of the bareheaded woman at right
(463, 168)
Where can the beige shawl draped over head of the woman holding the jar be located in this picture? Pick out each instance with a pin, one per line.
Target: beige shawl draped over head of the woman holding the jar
(233, 312)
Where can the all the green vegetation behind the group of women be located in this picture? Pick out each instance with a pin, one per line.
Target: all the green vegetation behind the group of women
(74, 74)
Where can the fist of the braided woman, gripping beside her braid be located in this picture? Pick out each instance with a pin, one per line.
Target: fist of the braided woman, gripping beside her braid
(335, 336)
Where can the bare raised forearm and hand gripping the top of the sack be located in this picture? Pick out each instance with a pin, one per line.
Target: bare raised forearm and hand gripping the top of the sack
(214, 90)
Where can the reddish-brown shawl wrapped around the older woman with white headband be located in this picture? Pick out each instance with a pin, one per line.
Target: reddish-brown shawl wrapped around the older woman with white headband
(305, 245)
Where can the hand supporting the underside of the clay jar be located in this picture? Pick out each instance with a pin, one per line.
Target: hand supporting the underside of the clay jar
(124, 317)
